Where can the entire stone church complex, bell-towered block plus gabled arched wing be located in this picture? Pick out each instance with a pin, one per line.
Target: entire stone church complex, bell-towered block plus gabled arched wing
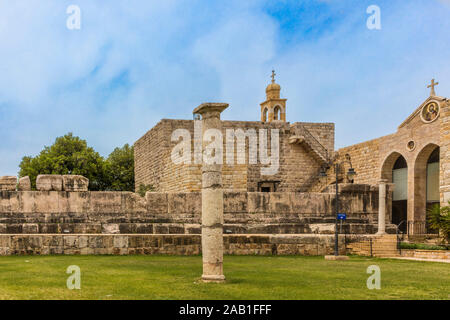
(414, 160)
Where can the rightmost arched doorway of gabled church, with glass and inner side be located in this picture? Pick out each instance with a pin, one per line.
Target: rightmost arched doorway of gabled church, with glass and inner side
(426, 186)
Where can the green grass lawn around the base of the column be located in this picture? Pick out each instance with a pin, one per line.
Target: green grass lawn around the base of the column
(248, 277)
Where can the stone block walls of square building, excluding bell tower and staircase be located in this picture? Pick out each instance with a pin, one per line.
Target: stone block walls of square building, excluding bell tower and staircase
(298, 168)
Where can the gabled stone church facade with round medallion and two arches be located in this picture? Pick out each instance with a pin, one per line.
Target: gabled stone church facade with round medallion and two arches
(415, 159)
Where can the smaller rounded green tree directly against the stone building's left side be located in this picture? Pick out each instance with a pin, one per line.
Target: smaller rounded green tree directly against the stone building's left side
(120, 168)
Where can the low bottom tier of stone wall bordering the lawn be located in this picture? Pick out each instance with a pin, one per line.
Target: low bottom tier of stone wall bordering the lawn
(80, 244)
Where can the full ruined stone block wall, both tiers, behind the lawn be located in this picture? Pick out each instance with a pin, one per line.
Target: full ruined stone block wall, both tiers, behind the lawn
(60, 222)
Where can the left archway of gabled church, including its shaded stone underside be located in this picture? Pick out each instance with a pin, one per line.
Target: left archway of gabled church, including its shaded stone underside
(395, 170)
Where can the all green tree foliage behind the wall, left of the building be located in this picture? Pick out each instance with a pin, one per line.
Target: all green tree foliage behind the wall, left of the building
(71, 155)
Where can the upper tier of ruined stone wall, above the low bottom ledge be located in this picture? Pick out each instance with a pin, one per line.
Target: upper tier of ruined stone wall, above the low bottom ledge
(53, 212)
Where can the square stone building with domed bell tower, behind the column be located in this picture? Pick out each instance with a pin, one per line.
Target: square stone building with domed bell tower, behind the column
(303, 149)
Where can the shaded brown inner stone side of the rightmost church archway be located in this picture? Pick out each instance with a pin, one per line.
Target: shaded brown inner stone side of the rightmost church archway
(421, 190)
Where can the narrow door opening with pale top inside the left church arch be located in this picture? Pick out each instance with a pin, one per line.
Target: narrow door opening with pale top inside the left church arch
(400, 194)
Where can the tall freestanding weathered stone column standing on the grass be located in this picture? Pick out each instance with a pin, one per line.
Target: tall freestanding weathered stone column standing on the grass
(212, 200)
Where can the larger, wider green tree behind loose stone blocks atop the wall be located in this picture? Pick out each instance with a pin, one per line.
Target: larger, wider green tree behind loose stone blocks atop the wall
(68, 155)
